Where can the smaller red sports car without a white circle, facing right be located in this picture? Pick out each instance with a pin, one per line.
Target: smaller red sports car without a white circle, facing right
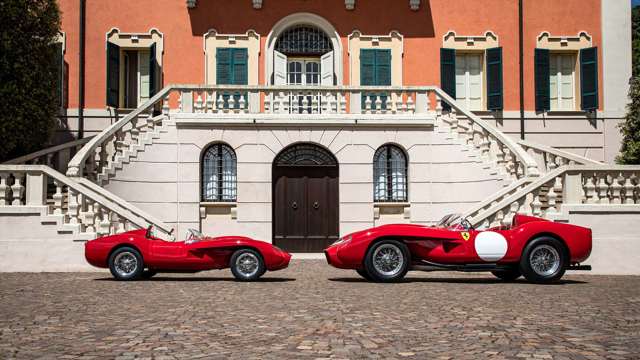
(138, 254)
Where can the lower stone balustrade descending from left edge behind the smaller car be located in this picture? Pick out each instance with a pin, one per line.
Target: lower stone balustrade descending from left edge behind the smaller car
(86, 211)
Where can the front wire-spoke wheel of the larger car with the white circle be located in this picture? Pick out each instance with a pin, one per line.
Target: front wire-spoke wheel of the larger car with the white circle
(387, 261)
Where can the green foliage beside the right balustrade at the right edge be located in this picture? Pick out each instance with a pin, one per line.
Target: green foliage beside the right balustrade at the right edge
(630, 128)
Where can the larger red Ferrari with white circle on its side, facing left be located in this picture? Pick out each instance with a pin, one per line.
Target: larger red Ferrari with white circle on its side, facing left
(540, 250)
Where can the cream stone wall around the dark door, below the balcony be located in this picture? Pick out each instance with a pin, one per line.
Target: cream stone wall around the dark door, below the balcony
(164, 180)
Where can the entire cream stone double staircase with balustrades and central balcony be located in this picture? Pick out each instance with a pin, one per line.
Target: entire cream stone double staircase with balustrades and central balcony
(522, 176)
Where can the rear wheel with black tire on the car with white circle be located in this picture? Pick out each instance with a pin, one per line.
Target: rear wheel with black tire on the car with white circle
(552, 247)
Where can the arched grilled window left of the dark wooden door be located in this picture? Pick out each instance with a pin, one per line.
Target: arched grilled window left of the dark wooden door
(219, 173)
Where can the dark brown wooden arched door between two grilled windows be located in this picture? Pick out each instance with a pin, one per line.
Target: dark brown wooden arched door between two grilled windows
(305, 198)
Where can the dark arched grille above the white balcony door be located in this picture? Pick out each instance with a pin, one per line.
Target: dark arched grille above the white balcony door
(303, 40)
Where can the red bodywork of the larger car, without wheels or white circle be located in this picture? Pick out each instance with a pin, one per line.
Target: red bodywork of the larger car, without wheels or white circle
(458, 246)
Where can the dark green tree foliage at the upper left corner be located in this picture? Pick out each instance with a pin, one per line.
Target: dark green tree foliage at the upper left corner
(28, 75)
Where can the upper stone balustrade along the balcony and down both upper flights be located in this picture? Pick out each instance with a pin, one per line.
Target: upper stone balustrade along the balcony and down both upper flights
(373, 101)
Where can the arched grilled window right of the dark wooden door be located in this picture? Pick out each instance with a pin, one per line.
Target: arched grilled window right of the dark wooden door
(389, 174)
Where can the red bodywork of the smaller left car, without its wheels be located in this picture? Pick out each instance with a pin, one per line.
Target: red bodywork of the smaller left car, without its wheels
(206, 254)
